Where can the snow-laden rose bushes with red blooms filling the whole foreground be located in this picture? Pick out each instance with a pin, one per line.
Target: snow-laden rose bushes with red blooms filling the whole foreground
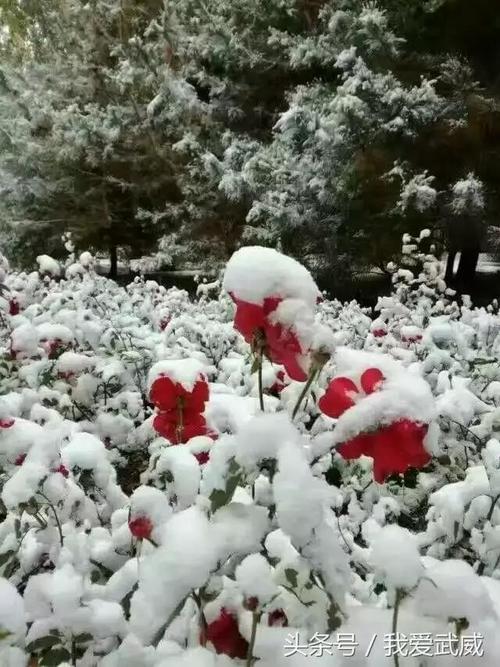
(204, 482)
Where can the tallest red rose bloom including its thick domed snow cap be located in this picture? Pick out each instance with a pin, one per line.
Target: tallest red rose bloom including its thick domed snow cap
(275, 298)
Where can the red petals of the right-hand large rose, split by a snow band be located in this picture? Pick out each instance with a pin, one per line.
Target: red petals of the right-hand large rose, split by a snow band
(393, 448)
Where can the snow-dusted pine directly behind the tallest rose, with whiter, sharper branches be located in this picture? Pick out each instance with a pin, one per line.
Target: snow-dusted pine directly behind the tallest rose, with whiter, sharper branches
(316, 113)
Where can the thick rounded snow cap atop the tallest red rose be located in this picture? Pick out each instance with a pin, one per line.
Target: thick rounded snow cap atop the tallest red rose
(254, 273)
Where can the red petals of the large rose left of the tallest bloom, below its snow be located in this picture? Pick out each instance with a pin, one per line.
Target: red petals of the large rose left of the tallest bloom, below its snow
(180, 415)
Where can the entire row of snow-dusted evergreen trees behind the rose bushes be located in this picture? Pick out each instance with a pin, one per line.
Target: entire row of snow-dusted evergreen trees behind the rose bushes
(180, 130)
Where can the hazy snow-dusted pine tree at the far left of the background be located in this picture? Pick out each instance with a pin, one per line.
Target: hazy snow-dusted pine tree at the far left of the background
(89, 111)
